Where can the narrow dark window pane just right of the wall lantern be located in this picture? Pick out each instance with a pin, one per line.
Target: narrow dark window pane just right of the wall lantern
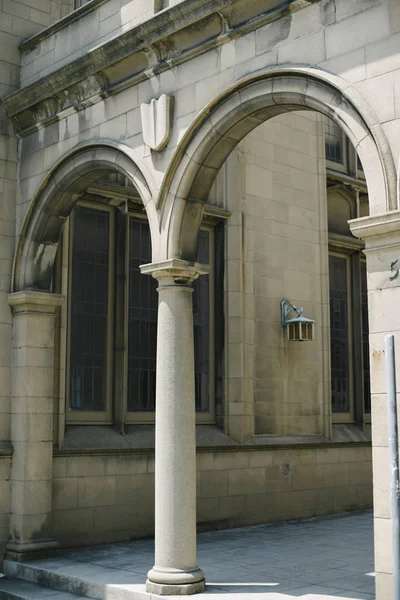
(339, 322)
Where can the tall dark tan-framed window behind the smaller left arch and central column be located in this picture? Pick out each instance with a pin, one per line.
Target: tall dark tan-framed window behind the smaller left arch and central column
(111, 336)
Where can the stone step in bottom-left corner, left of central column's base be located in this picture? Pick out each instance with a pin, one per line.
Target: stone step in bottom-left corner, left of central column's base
(85, 580)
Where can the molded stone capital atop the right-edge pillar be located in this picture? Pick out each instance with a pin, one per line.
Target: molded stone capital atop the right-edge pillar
(379, 231)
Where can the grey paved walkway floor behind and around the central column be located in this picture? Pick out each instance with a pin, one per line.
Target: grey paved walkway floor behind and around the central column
(328, 558)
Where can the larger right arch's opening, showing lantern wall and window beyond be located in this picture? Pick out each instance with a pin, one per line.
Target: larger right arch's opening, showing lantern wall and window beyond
(289, 199)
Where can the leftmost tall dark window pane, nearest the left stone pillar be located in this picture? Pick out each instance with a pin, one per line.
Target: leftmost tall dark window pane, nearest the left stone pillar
(89, 309)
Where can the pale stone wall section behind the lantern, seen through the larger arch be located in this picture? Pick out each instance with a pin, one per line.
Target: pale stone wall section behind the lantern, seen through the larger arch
(284, 255)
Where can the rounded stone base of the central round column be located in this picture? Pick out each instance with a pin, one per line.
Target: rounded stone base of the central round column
(175, 582)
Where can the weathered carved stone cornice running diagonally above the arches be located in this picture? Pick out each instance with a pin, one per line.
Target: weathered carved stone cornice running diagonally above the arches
(154, 46)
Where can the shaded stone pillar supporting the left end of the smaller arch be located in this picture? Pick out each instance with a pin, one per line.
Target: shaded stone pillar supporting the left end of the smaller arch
(32, 423)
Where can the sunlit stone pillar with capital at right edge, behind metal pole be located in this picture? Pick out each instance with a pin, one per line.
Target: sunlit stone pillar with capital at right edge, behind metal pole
(382, 239)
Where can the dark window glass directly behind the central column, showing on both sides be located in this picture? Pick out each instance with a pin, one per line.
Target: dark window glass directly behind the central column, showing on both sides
(143, 304)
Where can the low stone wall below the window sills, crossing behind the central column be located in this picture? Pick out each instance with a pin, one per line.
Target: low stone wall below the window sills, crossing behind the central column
(110, 497)
